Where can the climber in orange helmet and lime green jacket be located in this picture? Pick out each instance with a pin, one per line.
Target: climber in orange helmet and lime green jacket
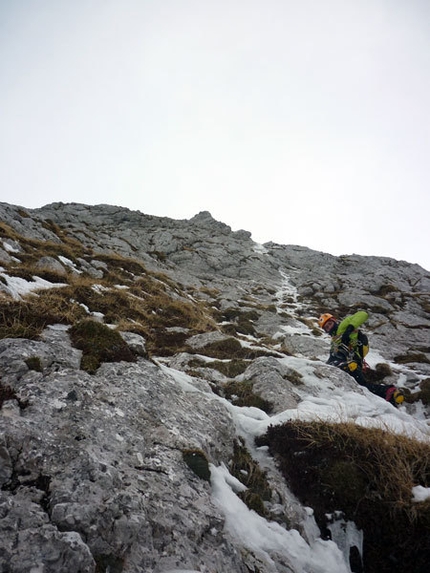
(348, 348)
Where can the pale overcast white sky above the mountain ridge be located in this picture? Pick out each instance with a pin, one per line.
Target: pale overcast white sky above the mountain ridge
(304, 122)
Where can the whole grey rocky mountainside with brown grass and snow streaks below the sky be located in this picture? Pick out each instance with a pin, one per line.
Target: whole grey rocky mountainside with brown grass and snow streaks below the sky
(106, 453)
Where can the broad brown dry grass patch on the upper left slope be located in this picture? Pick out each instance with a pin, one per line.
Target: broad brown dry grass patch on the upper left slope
(153, 304)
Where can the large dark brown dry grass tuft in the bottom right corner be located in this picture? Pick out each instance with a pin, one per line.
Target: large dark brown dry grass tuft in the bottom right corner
(368, 474)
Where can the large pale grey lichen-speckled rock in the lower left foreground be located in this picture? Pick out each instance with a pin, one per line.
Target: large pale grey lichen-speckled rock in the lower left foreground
(98, 460)
